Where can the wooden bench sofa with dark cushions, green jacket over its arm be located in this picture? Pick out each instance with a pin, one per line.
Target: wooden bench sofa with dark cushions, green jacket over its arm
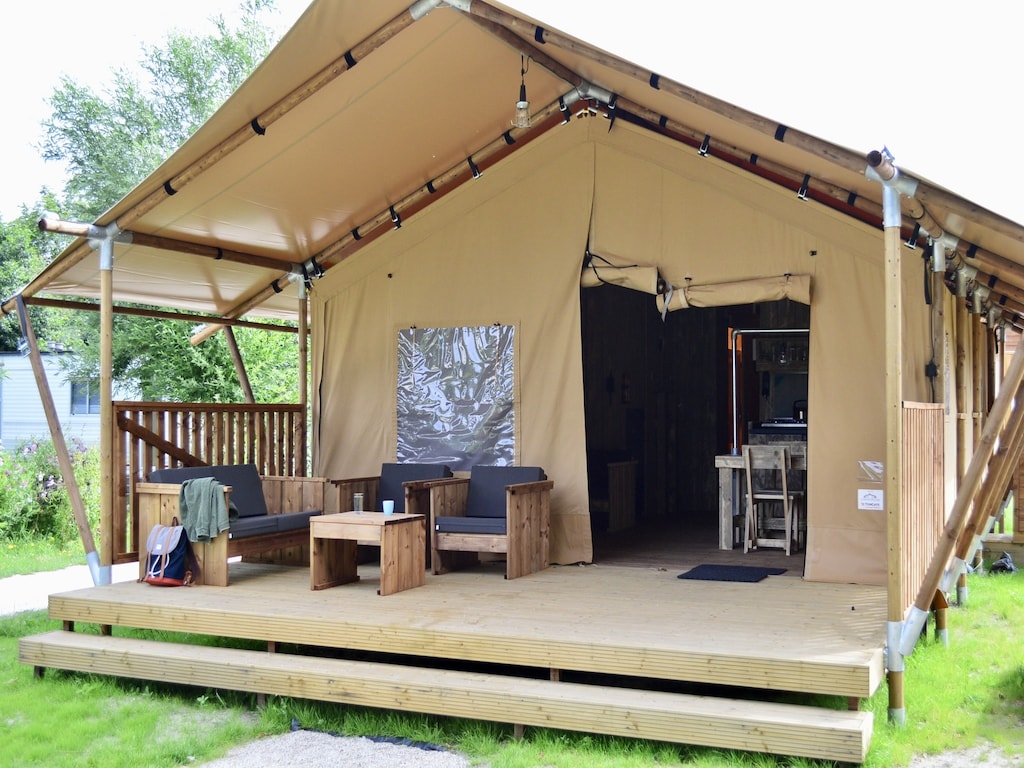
(290, 501)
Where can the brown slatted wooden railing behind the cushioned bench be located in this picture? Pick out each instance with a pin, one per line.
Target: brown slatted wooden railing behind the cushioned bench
(152, 436)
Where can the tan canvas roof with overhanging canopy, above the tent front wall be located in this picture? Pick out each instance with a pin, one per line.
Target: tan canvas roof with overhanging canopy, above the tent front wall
(362, 116)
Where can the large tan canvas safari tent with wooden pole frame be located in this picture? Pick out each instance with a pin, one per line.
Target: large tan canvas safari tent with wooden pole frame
(368, 183)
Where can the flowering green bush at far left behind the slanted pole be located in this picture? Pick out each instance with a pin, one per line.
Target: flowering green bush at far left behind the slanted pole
(34, 499)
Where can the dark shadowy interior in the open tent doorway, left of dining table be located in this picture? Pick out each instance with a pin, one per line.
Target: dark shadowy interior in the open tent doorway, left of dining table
(658, 395)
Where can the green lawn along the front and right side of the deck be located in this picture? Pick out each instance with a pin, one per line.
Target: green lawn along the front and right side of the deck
(956, 697)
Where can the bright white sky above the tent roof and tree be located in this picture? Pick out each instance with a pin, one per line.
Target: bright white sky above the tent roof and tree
(938, 83)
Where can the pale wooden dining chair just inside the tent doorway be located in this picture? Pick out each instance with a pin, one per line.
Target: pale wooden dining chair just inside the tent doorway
(767, 470)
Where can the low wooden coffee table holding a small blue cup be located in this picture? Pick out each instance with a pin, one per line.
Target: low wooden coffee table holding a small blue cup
(333, 541)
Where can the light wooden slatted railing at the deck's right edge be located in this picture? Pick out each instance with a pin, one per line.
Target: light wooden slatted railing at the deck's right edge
(923, 492)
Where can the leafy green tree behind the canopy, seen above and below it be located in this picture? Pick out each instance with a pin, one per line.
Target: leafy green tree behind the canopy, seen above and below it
(110, 143)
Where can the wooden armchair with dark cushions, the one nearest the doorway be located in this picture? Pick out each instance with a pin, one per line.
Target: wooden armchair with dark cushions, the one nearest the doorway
(501, 510)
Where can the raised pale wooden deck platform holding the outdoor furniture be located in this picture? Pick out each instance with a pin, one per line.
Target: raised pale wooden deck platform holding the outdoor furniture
(613, 621)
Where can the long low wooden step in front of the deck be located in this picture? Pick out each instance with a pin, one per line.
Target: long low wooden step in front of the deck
(754, 727)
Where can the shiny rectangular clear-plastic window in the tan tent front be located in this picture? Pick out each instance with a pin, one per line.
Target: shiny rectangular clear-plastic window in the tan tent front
(456, 396)
